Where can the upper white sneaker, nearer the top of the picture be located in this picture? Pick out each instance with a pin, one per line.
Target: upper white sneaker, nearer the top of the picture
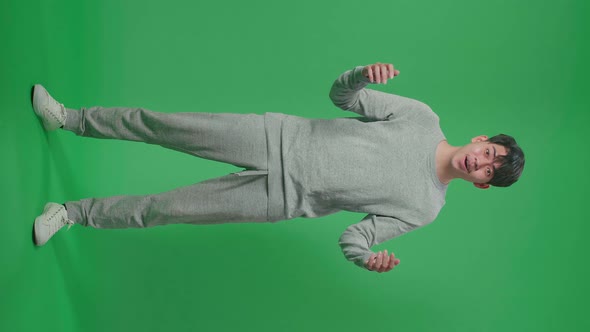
(52, 113)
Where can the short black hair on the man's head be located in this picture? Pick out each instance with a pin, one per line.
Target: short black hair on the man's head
(512, 163)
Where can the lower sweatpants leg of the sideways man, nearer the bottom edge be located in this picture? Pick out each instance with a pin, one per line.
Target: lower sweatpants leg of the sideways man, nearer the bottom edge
(228, 199)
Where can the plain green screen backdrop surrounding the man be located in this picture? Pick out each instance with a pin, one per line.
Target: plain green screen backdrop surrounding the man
(497, 260)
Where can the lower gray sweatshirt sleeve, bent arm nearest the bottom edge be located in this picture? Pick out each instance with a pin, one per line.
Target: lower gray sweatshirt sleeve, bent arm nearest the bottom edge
(357, 239)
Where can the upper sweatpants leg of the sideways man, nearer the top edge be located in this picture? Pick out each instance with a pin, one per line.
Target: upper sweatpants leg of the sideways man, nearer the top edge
(238, 139)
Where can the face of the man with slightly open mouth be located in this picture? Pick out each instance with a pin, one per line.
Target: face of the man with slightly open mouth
(475, 163)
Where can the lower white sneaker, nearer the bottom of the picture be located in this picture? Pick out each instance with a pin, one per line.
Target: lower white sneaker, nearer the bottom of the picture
(53, 218)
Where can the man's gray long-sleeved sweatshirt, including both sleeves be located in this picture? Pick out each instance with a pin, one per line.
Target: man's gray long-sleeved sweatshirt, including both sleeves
(382, 164)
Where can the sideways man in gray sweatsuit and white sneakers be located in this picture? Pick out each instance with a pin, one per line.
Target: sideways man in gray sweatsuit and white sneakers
(393, 164)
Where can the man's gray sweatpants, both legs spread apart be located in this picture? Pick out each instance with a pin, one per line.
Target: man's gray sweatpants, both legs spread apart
(238, 139)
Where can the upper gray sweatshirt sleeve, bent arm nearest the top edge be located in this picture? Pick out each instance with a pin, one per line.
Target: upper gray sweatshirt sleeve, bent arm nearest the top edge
(348, 93)
